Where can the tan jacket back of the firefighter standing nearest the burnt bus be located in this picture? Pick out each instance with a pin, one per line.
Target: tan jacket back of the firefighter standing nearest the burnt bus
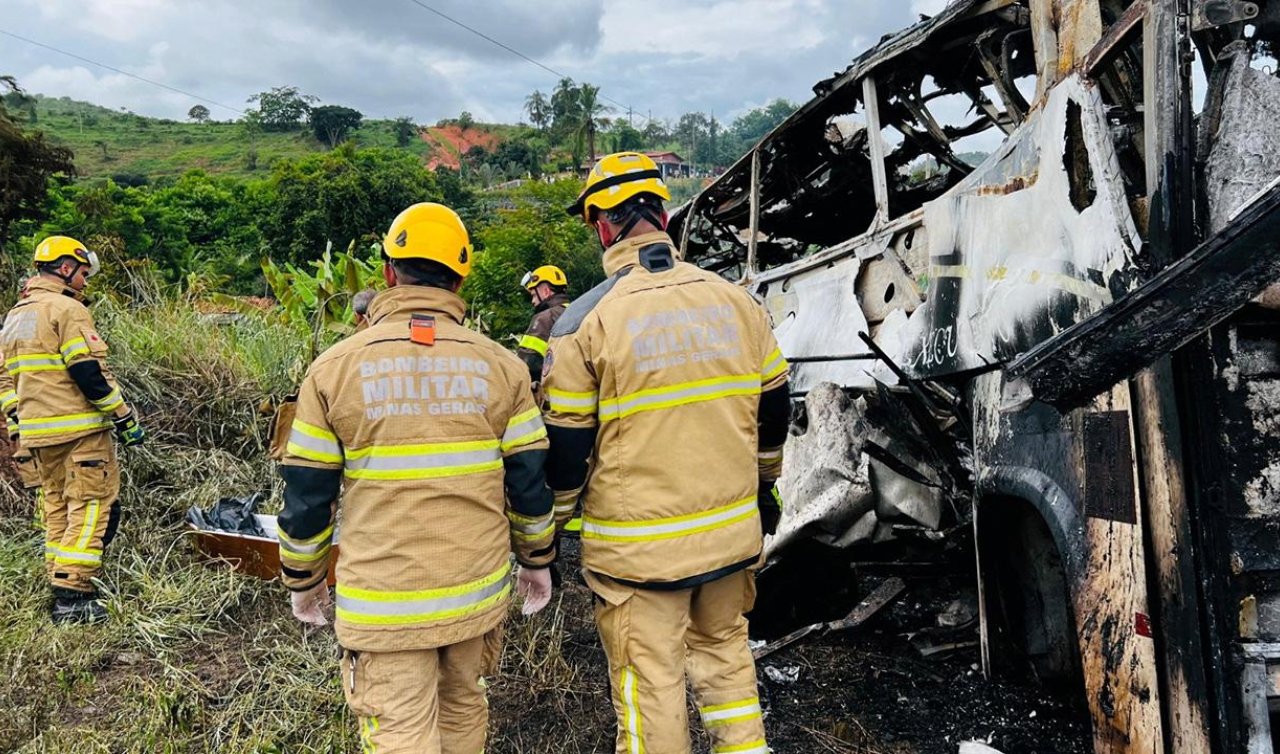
(679, 355)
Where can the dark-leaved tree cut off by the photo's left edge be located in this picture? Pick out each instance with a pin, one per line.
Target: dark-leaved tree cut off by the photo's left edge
(28, 167)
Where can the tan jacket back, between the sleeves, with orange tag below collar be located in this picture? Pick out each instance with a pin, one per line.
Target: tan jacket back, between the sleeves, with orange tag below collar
(422, 431)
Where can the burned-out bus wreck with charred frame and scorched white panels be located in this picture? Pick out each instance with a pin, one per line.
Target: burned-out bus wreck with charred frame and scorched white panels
(1020, 258)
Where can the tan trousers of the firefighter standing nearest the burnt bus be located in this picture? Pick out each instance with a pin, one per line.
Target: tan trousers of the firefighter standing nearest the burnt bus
(655, 638)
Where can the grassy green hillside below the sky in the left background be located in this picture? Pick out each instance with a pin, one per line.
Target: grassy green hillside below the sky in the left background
(109, 143)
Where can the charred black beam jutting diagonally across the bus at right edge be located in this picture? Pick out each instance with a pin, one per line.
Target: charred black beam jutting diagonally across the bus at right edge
(1177, 305)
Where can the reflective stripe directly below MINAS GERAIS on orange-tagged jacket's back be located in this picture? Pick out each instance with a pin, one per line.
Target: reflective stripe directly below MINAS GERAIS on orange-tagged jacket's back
(424, 461)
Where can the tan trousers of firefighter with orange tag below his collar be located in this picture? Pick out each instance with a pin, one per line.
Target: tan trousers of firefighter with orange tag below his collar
(423, 701)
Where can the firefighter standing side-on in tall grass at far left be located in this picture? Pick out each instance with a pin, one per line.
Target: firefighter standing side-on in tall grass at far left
(68, 404)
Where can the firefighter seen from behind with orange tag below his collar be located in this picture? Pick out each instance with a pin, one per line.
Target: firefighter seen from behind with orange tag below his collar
(429, 433)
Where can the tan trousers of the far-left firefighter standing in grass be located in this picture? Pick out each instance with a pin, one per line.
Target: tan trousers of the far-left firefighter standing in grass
(80, 483)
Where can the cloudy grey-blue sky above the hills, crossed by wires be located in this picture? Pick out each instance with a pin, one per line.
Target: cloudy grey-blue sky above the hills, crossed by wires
(391, 58)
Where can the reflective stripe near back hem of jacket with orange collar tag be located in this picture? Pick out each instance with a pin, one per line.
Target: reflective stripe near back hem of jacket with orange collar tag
(392, 609)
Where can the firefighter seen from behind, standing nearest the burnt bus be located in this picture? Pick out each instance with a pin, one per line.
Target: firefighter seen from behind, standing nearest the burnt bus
(669, 380)
